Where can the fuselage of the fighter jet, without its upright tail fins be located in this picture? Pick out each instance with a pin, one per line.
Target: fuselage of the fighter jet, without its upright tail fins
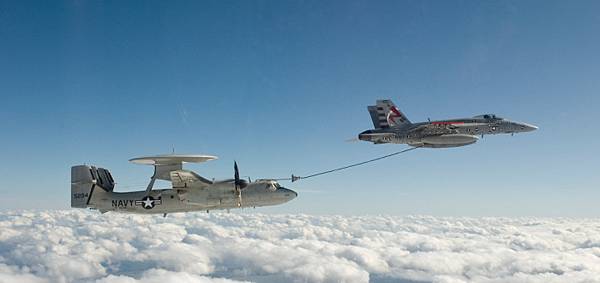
(445, 133)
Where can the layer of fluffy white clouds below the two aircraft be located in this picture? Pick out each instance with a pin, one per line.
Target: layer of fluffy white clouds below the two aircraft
(84, 246)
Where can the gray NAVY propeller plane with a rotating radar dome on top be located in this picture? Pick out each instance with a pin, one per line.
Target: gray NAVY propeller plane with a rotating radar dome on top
(92, 187)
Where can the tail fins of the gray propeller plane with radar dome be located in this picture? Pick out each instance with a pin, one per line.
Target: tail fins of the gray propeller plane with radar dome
(84, 180)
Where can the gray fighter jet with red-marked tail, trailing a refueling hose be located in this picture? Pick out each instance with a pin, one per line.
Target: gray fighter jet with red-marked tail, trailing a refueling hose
(392, 126)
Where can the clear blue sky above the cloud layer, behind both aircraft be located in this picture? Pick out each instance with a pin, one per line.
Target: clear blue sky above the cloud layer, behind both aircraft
(279, 85)
